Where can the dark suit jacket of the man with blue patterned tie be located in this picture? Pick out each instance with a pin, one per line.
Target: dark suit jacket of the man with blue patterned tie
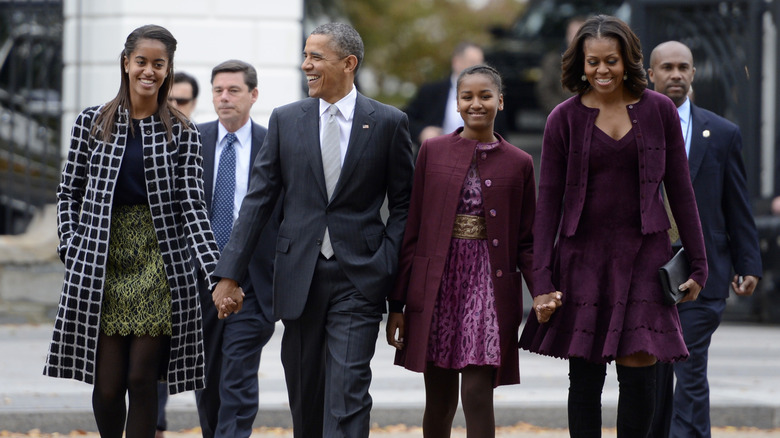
(259, 278)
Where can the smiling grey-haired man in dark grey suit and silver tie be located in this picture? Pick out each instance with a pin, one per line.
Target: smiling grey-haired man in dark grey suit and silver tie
(337, 156)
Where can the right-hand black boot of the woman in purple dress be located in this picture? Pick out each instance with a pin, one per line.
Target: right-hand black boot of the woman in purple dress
(636, 403)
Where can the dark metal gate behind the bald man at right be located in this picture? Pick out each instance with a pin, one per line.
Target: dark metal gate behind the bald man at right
(726, 38)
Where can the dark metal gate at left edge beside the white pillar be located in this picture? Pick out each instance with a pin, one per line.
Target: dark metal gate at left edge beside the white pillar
(30, 108)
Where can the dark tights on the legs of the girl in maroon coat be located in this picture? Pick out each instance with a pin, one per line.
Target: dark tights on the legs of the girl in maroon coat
(441, 401)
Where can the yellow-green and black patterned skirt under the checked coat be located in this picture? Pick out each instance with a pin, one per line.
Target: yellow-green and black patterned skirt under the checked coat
(136, 297)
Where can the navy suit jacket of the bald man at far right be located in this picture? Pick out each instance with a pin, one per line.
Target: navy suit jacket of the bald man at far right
(718, 176)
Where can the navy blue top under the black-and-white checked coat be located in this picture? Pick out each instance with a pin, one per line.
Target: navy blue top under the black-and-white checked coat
(131, 183)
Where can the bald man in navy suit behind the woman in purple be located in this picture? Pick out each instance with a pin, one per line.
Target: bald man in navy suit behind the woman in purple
(714, 148)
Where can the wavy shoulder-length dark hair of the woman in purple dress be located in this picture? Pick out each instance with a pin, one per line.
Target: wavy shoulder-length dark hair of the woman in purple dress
(604, 26)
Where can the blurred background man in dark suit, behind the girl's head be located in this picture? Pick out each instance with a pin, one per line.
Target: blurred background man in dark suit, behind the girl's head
(433, 111)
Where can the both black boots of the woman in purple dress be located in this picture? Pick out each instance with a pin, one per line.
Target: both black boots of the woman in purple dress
(636, 402)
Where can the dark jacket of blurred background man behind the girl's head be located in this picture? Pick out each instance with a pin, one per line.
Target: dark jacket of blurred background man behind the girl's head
(428, 106)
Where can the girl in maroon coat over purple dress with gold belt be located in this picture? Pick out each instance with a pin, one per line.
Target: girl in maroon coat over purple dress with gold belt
(457, 304)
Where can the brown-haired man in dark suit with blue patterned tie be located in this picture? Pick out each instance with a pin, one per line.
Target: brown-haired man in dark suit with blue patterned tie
(228, 405)
